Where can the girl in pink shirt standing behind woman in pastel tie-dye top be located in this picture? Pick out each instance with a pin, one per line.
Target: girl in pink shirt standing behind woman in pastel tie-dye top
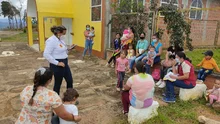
(120, 68)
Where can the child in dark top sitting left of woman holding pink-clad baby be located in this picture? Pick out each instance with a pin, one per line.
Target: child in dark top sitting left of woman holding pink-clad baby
(116, 52)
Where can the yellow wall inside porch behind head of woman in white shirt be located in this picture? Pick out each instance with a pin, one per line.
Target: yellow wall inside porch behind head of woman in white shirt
(48, 23)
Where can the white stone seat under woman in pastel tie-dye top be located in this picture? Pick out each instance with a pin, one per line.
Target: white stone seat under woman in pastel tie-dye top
(138, 116)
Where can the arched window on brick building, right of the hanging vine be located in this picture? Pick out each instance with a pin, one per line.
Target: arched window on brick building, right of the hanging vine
(196, 14)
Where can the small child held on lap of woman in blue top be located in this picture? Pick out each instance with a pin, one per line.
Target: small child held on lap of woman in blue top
(151, 55)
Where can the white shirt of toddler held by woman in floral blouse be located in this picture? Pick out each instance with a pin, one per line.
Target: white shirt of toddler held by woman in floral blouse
(71, 109)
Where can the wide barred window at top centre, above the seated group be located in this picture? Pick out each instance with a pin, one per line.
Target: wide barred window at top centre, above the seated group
(129, 6)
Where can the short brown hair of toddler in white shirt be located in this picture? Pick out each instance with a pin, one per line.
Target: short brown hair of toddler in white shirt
(70, 94)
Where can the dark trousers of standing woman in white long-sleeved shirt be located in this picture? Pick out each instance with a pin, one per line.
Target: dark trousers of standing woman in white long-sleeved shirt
(60, 73)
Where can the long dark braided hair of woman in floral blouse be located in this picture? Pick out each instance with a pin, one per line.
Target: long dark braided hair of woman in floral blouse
(42, 76)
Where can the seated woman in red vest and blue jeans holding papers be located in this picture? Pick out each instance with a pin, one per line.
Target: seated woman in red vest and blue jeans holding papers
(184, 76)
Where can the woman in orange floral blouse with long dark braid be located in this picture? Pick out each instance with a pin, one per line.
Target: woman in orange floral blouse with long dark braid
(38, 102)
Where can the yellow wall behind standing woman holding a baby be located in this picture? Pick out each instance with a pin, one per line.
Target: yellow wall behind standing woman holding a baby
(82, 17)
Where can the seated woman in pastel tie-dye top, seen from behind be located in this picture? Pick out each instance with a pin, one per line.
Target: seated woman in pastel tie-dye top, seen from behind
(139, 89)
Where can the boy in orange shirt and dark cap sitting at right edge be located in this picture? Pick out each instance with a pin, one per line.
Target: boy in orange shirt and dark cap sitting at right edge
(208, 64)
